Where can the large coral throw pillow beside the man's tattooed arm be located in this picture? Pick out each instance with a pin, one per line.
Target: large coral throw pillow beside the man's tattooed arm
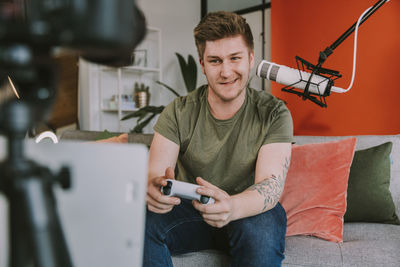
(315, 191)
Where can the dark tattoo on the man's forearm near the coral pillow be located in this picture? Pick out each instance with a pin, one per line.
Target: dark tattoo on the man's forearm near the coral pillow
(272, 187)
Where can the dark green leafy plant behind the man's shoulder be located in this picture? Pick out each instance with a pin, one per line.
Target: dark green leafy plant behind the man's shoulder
(189, 73)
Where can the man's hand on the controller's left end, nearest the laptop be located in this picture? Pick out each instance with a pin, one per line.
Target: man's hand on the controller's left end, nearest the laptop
(156, 201)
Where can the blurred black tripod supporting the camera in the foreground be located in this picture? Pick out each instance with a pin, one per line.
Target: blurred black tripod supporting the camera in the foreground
(36, 236)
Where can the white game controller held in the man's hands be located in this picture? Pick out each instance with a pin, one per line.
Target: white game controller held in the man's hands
(176, 188)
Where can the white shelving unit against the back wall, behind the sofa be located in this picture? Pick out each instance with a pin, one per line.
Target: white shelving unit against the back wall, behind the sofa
(111, 86)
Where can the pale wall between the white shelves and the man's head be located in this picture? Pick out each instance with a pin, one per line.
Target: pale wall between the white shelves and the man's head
(176, 19)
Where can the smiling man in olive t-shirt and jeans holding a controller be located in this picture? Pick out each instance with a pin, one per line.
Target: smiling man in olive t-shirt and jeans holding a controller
(235, 143)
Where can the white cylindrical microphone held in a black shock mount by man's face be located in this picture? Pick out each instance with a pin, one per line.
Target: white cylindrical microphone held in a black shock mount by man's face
(319, 85)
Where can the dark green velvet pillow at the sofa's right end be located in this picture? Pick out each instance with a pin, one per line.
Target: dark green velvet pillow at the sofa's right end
(368, 195)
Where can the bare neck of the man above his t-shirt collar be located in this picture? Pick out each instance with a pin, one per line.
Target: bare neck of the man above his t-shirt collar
(224, 110)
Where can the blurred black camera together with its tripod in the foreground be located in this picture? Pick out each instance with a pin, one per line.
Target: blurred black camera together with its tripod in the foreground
(102, 31)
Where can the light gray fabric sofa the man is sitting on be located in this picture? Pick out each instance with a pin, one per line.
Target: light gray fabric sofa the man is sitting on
(364, 244)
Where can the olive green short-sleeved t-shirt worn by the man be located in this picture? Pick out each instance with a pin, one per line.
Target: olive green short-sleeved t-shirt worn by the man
(223, 152)
